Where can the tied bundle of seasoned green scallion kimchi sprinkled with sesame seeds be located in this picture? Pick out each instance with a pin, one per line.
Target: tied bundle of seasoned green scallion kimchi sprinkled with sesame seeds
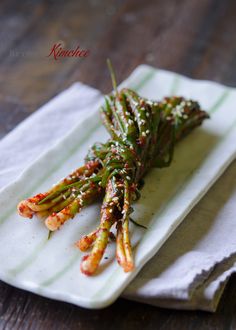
(143, 134)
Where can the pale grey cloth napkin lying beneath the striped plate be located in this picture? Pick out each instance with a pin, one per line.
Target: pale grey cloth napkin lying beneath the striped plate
(191, 269)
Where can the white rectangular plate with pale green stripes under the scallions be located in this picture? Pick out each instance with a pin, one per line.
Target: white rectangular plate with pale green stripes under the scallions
(52, 267)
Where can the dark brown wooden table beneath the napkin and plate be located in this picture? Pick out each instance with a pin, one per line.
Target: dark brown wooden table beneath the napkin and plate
(193, 37)
